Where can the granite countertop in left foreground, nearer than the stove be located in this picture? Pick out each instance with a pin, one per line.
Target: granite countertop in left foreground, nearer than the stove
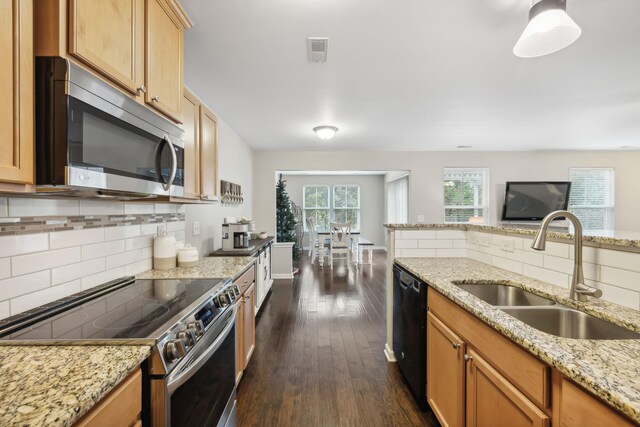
(56, 385)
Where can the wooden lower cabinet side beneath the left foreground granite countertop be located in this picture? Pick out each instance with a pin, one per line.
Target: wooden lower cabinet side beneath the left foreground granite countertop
(120, 408)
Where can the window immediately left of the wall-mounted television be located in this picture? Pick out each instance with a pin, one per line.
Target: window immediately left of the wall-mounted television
(465, 195)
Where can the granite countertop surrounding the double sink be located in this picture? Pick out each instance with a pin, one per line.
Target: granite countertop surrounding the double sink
(608, 368)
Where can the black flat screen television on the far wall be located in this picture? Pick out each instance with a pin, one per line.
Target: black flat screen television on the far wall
(532, 200)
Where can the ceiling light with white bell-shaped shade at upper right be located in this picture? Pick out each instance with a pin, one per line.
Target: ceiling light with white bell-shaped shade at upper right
(549, 30)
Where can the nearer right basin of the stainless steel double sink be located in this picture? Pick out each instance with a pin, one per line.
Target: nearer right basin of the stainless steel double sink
(568, 323)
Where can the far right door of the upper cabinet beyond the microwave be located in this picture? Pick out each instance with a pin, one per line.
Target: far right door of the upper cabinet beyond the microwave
(208, 154)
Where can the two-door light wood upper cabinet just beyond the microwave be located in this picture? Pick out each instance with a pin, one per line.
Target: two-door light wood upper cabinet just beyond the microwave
(200, 151)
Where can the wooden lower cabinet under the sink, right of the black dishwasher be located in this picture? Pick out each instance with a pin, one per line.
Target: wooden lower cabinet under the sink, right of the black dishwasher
(477, 377)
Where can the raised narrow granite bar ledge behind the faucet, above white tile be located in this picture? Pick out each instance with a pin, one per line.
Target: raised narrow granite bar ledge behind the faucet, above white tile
(606, 238)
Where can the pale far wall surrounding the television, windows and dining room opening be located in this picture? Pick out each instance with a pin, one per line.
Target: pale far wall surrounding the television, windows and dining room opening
(426, 168)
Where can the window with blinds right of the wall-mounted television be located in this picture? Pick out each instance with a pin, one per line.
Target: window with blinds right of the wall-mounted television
(592, 197)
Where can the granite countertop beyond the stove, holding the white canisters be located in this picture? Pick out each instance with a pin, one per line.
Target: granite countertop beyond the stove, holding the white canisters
(208, 268)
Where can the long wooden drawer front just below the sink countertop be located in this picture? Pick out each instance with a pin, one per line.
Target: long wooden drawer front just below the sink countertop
(528, 374)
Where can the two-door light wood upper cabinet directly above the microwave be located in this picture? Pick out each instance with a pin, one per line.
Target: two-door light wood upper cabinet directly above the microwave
(136, 44)
